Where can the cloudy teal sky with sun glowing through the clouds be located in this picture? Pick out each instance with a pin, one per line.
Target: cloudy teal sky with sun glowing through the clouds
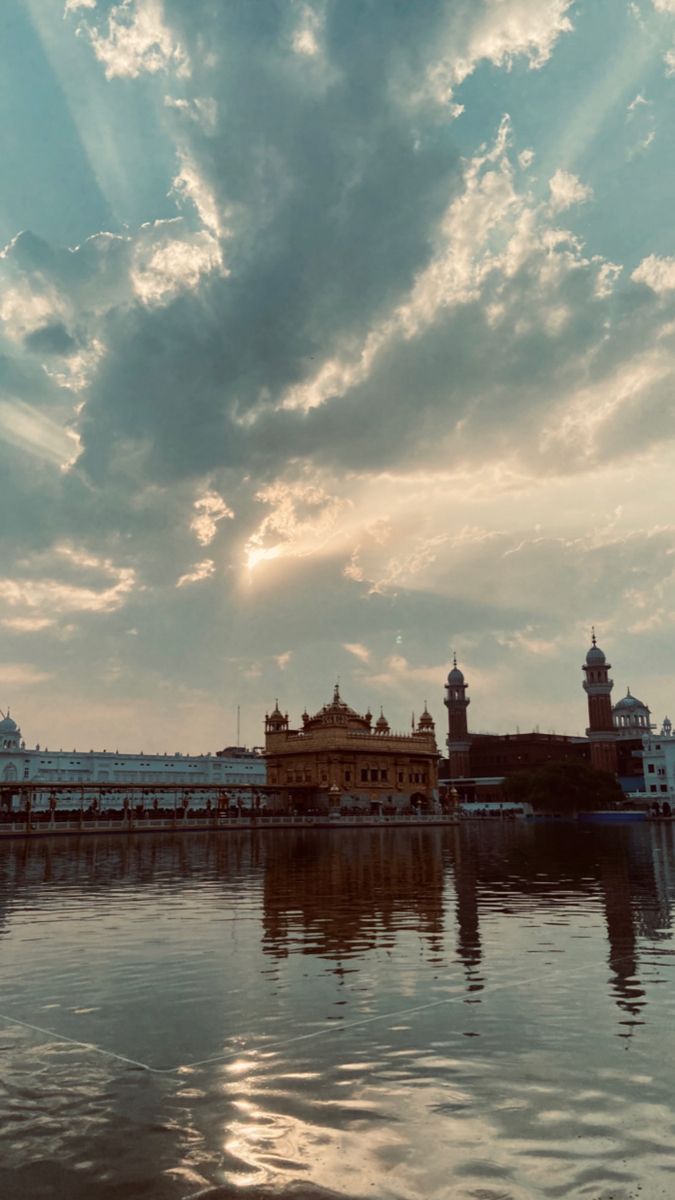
(337, 337)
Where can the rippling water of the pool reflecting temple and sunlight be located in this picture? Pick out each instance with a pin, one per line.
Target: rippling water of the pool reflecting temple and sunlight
(485, 1012)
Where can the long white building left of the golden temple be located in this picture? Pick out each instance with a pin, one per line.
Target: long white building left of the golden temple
(21, 764)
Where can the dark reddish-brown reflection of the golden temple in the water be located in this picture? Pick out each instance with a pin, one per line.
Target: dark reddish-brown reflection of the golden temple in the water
(339, 898)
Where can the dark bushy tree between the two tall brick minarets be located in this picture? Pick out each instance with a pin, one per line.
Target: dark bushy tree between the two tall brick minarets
(564, 788)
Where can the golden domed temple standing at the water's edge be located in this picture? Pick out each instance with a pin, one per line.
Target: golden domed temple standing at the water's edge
(341, 759)
